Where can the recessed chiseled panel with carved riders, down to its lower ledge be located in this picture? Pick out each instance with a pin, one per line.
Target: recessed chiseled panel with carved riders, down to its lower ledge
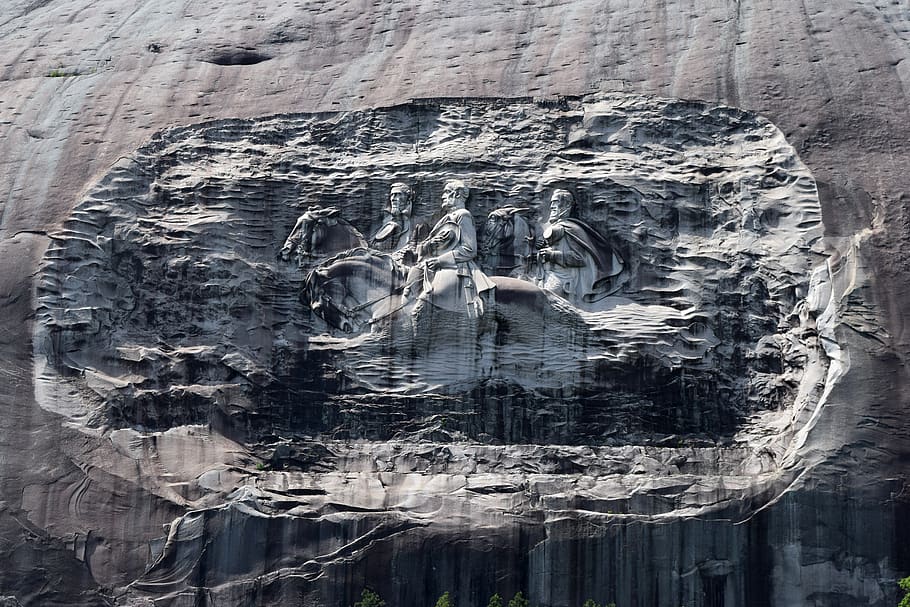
(604, 269)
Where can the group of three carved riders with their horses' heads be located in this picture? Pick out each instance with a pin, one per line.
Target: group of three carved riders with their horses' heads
(573, 261)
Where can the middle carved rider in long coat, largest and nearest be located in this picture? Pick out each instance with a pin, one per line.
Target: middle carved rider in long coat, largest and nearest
(446, 273)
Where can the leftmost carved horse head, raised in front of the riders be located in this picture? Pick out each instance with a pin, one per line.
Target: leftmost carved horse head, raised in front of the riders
(319, 233)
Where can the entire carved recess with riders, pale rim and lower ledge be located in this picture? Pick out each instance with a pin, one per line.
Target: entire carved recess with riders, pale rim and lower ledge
(641, 281)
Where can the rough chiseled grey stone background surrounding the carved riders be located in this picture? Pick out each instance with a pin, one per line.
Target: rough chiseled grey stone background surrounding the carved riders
(164, 301)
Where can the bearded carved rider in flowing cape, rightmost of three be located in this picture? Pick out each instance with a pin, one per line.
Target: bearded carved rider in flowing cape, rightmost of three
(576, 262)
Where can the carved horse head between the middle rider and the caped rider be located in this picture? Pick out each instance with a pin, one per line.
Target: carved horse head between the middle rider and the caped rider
(508, 242)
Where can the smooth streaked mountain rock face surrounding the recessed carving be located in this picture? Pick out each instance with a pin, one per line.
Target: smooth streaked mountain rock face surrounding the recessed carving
(80, 515)
